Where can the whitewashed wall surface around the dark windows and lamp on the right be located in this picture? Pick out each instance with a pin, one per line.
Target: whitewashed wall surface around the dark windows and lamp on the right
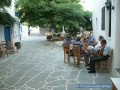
(113, 41)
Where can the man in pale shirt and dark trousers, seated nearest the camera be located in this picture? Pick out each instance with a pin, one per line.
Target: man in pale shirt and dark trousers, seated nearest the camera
(104, 55)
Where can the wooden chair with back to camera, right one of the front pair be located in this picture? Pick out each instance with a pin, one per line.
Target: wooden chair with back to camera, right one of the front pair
(76, 54)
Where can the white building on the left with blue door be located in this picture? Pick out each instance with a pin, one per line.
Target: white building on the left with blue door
(14, 32)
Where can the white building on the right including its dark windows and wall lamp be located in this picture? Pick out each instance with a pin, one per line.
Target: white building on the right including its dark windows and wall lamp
(106, 22)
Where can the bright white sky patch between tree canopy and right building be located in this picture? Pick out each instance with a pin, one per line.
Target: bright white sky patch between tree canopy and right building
(87, 4)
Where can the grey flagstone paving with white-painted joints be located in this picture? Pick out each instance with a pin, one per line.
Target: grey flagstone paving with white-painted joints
(39, 66)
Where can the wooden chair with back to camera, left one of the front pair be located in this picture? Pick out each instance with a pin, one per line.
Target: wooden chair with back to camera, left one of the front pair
(66, 53)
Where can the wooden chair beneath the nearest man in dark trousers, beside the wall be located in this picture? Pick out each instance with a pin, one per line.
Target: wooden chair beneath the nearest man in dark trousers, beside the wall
(107, 62)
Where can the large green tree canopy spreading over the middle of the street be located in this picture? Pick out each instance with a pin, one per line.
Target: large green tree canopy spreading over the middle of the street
(51, 13)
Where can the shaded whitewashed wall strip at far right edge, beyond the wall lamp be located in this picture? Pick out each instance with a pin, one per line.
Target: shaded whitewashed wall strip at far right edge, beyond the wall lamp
(117, 34)
